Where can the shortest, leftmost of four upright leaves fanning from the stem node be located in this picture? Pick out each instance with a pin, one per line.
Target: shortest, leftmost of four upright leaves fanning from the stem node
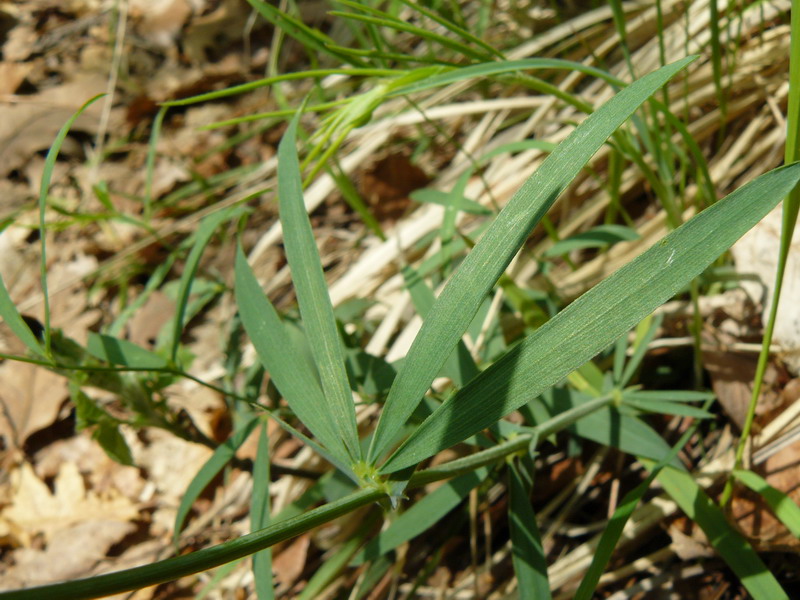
(287, 366)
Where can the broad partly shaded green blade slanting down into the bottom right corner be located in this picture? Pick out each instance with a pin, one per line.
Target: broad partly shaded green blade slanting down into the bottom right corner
(729, 543)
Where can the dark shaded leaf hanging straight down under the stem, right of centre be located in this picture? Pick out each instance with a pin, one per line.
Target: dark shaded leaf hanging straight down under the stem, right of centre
(530, 565)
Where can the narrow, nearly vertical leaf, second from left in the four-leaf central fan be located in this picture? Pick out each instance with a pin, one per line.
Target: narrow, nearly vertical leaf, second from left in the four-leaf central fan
(312, 295)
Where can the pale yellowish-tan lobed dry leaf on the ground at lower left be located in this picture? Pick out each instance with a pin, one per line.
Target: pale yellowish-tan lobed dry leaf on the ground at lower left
(35, 510)
